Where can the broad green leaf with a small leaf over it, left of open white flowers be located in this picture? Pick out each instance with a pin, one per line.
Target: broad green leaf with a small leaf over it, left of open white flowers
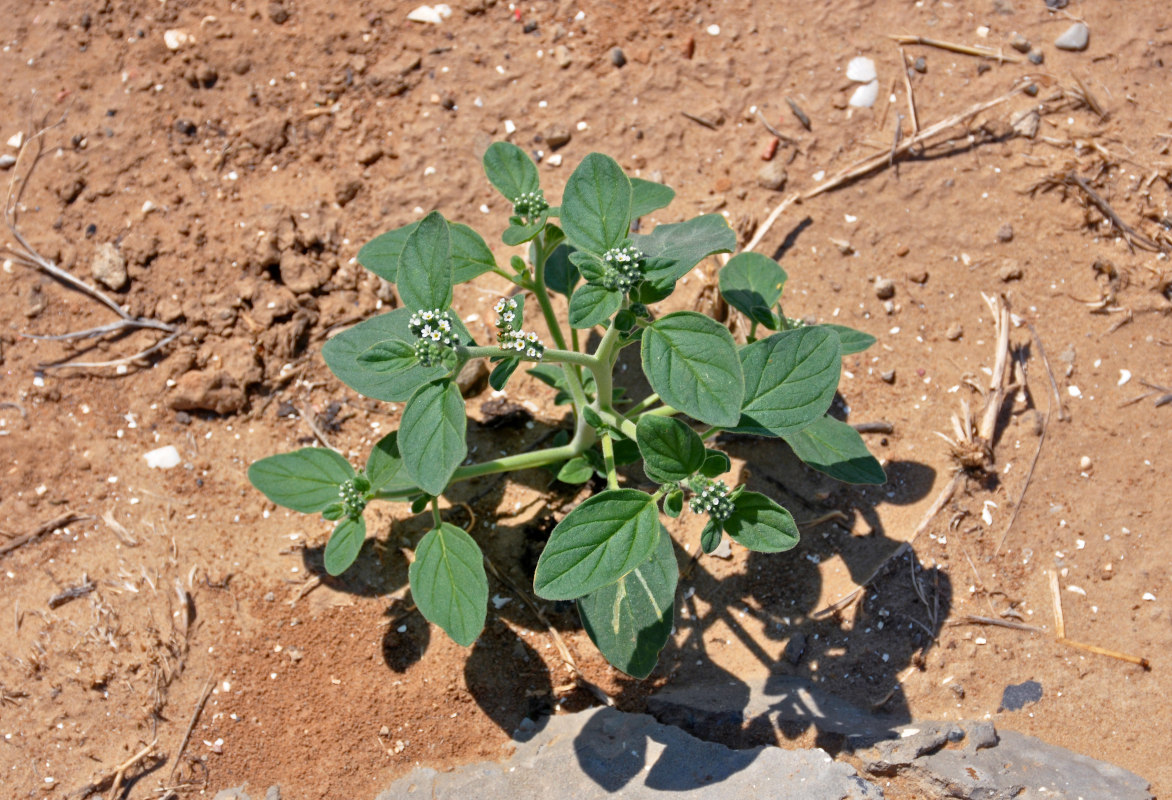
(342, 354)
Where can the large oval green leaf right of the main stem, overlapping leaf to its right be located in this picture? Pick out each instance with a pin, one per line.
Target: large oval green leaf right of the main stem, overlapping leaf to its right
(691, 363)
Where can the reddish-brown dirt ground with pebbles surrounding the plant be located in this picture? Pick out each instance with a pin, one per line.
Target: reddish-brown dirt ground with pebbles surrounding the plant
(285, 135)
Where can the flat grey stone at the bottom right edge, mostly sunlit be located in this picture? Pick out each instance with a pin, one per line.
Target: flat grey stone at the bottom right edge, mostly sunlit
(1018, 767)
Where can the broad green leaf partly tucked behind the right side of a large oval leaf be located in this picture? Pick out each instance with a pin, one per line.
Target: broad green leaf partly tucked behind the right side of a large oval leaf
(791, 381)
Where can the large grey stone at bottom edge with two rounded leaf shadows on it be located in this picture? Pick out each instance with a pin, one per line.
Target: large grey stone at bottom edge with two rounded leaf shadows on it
(604, 754)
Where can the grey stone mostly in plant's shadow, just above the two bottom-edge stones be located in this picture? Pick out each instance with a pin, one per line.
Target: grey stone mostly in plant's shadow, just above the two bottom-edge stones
(721, 710)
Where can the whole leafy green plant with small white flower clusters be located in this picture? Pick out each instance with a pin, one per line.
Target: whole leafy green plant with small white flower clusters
(611, 553)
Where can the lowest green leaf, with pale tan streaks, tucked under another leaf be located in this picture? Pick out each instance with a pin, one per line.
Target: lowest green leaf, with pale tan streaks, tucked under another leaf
(631, 620)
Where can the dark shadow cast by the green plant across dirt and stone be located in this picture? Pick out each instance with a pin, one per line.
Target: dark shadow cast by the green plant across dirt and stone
(832, 681)
